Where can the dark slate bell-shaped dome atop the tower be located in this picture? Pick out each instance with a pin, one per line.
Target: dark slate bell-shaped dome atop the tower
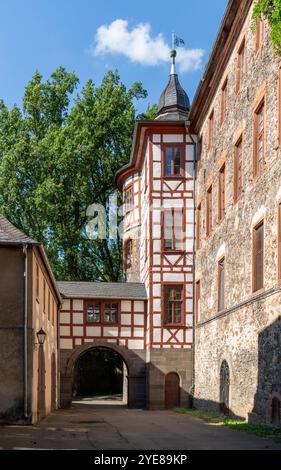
(173, 97)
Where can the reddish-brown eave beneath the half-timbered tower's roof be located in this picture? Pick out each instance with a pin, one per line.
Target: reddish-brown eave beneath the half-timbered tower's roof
(132, 166)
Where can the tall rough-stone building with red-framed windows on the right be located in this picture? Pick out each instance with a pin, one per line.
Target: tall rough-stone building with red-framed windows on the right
(236, 115)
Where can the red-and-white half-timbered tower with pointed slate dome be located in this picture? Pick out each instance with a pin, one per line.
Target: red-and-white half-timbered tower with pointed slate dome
(158, 189)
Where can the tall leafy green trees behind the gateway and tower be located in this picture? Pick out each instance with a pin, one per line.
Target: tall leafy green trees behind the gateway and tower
(58, 155)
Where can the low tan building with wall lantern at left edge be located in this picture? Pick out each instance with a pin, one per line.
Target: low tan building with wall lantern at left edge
(29, 303)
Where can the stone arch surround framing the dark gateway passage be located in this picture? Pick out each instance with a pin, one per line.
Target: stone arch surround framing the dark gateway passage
(135, 364)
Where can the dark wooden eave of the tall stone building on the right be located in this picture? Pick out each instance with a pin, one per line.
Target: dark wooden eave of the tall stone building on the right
(230, 28)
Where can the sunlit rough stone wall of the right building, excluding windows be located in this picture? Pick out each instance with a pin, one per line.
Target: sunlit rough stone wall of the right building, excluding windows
(238, 335)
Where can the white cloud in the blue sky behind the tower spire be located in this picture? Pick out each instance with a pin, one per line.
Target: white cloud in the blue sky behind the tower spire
(139, 46)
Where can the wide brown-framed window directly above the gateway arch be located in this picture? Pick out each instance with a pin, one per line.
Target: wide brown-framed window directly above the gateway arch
(101, 311)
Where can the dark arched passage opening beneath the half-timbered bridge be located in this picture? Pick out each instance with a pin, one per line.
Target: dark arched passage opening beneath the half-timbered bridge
(100, 376)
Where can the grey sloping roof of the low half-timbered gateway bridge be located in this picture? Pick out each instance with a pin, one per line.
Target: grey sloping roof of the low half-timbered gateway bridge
(103, 290)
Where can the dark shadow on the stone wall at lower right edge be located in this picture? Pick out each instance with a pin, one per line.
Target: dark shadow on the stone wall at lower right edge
(268, 395)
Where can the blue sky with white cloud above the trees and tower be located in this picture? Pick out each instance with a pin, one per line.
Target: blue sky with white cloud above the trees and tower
(89, 37)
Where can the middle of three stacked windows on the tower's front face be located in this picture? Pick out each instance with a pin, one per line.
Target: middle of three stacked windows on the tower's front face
(173, 229)
